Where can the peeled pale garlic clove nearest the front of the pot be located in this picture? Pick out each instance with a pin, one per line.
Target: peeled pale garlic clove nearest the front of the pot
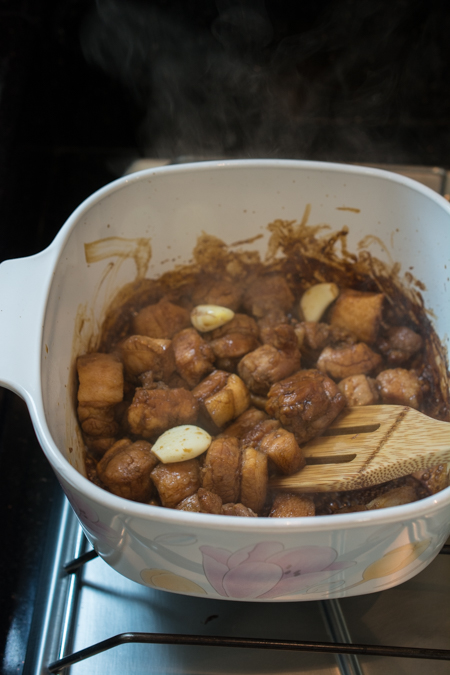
(181, 443)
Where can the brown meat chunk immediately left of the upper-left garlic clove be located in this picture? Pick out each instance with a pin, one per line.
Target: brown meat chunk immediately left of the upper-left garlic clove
(162, 320)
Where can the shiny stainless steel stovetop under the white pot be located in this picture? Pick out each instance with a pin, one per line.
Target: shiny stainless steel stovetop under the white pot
(78, 610)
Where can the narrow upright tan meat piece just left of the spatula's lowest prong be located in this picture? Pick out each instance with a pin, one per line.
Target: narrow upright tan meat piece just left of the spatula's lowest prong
(254, 479)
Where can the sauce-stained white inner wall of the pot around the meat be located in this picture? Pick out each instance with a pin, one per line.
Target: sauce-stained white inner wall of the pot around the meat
(234, 201)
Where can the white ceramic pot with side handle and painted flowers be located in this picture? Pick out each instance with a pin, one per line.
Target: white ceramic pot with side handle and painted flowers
(53, 302)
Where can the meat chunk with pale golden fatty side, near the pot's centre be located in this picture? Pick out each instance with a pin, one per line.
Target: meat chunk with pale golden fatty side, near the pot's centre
(222, 396)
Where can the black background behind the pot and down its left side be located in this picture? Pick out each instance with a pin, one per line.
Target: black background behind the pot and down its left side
(86, 87)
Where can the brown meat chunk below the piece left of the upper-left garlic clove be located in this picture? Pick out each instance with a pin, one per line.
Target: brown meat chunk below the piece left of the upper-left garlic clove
(141, 354)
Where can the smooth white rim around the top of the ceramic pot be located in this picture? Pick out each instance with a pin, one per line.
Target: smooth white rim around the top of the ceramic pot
(424, 507)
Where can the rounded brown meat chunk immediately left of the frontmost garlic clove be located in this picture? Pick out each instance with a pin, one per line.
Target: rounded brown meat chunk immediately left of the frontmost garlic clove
(125, 470)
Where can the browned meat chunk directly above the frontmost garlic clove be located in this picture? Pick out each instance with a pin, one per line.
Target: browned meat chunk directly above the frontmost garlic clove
(154, 411)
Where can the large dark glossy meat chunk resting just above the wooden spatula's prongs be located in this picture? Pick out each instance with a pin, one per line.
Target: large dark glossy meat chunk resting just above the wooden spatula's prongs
(305, 403)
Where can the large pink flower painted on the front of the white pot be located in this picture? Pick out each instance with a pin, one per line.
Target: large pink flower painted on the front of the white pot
(267, 570)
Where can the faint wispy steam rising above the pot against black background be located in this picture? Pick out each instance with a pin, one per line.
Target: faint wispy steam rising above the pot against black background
(234, 84)
